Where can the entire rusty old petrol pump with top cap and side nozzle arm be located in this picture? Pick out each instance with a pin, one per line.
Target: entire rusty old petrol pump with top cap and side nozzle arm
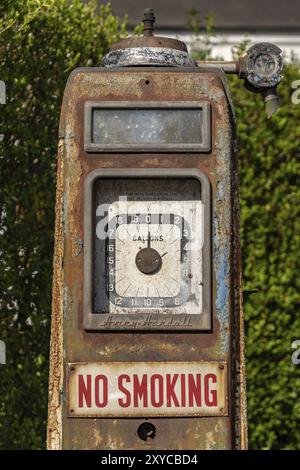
(147, 325)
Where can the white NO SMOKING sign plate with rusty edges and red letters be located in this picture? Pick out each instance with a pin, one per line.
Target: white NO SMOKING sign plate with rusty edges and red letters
(137, 389)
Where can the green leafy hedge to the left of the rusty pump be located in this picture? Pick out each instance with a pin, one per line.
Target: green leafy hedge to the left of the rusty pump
(40, 43)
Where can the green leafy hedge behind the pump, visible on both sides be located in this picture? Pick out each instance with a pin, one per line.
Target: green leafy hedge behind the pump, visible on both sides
(40, 43)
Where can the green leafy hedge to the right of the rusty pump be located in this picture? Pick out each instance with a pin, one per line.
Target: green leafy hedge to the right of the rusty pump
(270, 233)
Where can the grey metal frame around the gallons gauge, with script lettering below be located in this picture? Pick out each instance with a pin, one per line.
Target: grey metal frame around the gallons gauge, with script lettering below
(146, 321)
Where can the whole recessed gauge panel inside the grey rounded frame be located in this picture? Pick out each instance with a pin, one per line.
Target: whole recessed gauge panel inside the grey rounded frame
(148, 247)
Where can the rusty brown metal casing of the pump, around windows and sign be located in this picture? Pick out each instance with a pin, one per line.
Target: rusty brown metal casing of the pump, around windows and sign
(223, 343)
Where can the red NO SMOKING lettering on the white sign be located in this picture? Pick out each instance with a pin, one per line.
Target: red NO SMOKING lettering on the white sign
(169, 390)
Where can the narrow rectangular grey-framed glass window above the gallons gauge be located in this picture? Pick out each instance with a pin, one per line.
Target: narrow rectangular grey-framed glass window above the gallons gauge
(147, 127)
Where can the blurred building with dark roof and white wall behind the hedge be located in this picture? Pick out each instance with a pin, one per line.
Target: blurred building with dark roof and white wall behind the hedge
(234, 20)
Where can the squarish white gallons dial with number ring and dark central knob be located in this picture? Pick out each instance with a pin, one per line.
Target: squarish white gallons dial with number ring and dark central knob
(149, 257)
